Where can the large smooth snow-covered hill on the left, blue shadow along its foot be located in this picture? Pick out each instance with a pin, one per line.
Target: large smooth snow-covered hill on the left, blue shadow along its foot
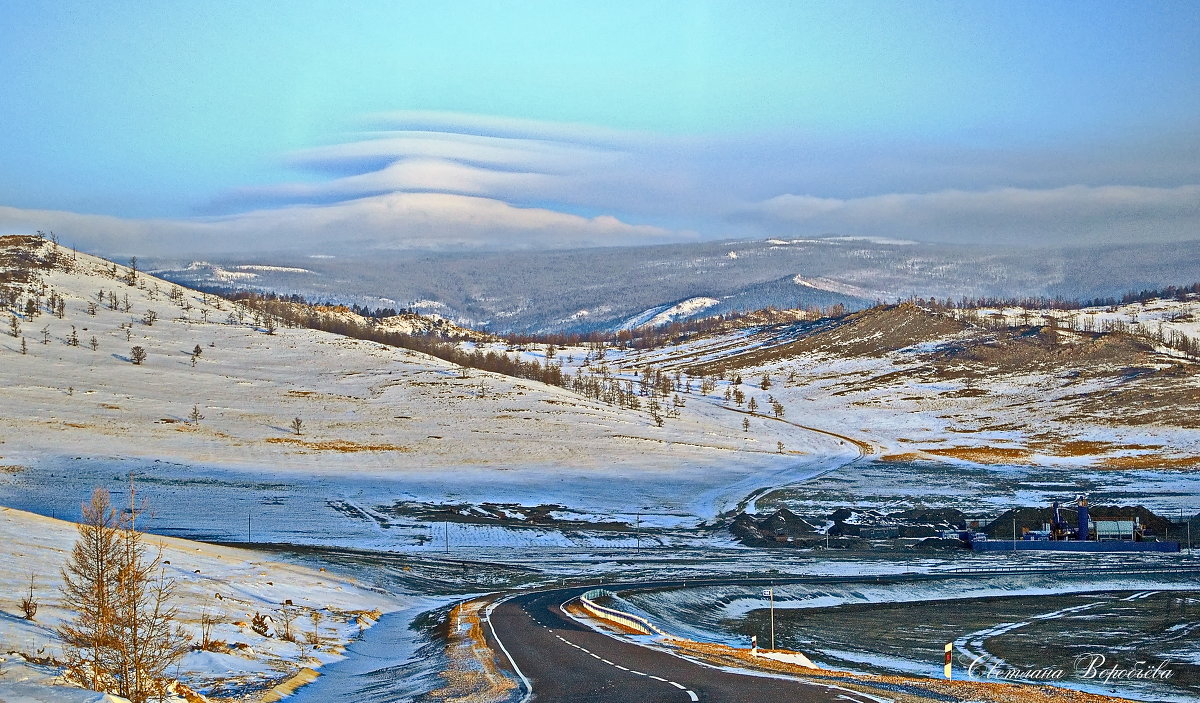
(381, 428)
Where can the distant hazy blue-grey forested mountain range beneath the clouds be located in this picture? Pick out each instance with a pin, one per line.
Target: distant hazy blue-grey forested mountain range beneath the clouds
(622, 287)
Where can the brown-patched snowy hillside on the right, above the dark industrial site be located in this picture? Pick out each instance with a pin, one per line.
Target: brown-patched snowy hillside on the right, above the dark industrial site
(967, 414)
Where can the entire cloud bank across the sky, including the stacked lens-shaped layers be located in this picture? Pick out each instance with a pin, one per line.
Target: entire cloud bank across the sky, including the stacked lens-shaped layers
(425, 179)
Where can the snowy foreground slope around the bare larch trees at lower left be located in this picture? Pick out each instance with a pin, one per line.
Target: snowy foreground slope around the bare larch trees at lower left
(224, 585)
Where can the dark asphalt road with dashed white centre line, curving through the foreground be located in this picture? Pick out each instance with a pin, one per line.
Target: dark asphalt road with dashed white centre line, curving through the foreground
(566, 662)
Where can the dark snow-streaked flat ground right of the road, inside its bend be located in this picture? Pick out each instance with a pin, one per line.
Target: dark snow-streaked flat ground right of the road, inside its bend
(1024, 622)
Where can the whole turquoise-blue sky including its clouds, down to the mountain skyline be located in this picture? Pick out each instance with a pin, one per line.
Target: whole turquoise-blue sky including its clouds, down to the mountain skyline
(537, 124)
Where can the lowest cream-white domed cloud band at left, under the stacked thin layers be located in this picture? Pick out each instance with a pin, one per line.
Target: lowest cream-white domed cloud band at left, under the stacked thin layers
(388, 221)
